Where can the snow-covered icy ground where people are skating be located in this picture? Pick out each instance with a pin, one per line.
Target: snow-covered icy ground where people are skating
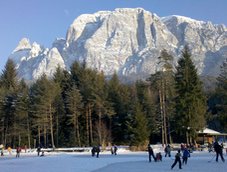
(125, 161)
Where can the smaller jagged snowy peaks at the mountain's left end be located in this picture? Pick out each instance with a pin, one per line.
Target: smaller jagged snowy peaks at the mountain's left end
(33, 60)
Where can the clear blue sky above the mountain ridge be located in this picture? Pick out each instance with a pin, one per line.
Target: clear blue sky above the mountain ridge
(43, 21)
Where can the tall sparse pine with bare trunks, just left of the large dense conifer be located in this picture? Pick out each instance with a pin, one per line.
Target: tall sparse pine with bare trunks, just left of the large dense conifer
(162, 82)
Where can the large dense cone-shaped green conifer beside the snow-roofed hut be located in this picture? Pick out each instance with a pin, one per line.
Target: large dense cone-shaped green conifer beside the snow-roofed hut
(190, 100)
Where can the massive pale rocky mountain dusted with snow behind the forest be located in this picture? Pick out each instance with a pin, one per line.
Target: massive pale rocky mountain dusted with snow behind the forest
(126, 41)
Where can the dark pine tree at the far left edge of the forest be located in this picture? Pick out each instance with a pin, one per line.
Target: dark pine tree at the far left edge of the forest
(8, 84)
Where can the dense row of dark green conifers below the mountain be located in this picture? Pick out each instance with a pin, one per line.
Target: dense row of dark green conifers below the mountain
(80, 107)
